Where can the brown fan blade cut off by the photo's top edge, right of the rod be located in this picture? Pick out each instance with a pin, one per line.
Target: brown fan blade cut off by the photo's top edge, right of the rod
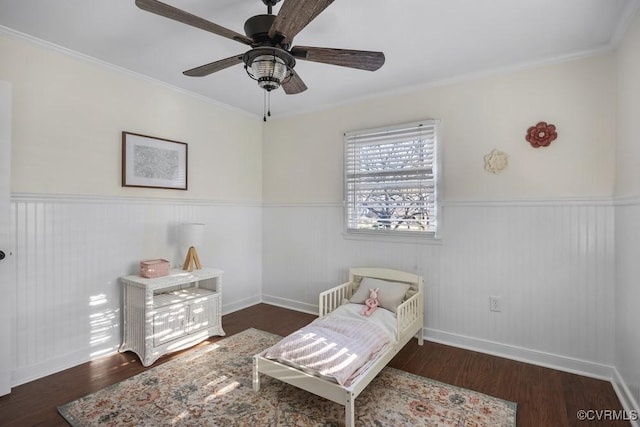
(294, 15)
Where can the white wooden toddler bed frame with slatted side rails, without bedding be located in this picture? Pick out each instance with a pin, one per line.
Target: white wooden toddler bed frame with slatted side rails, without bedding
(410, 321)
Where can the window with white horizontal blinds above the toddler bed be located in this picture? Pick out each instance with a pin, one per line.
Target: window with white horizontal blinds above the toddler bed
(391, 180)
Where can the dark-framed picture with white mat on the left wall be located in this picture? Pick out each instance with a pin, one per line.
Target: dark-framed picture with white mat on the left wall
(153, 162)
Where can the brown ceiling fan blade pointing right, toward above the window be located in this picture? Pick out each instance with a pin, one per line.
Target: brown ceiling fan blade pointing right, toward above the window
(361, 59)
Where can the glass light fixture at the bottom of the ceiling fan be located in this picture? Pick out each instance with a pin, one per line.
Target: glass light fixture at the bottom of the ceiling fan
(270, 67)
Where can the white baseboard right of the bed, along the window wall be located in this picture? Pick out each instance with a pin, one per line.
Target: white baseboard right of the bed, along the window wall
(547, 360)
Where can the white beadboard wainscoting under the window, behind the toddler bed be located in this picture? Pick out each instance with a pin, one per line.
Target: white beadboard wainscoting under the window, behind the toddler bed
(550, 261)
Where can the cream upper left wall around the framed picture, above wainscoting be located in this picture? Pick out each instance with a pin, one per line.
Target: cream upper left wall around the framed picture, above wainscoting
(68, 117)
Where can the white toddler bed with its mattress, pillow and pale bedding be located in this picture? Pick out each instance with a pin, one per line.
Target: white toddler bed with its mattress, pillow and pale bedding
(337, 355)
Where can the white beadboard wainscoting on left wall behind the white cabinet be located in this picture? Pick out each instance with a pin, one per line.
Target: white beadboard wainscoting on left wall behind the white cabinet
(71, 250)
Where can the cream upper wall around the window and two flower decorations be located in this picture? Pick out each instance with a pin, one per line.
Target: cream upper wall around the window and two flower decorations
(303, 154)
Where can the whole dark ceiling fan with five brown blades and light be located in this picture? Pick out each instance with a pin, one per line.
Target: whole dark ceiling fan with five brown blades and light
(271, 59)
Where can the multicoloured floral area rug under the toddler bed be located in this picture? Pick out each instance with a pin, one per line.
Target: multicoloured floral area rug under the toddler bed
(212, 386)
